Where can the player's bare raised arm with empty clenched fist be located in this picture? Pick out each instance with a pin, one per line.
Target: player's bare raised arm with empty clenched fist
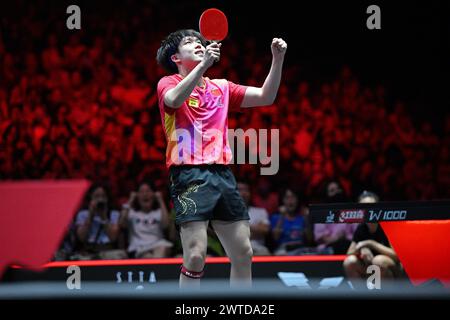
(266, 95)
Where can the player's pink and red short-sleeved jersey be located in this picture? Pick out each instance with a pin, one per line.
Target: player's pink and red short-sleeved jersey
(197, 132)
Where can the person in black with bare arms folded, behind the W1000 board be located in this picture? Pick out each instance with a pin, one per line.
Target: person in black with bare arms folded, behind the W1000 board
(370, 246)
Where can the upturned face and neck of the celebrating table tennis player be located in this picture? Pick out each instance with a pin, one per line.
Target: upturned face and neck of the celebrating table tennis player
(190, 52)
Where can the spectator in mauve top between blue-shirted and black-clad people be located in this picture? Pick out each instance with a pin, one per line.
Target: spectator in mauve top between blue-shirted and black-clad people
(334, 238)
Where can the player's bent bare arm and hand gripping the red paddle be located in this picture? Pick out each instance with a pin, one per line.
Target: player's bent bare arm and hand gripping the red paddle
(175, 97)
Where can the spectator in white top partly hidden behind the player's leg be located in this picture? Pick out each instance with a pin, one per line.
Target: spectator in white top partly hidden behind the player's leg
(259, 222)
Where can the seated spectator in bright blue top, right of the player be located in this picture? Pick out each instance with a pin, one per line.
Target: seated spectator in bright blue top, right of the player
(290, 228)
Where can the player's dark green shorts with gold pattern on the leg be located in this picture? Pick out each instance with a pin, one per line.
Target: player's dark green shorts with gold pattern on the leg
(205, 192)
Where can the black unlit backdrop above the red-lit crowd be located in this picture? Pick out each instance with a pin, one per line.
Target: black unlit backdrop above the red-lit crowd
(410, 52)
